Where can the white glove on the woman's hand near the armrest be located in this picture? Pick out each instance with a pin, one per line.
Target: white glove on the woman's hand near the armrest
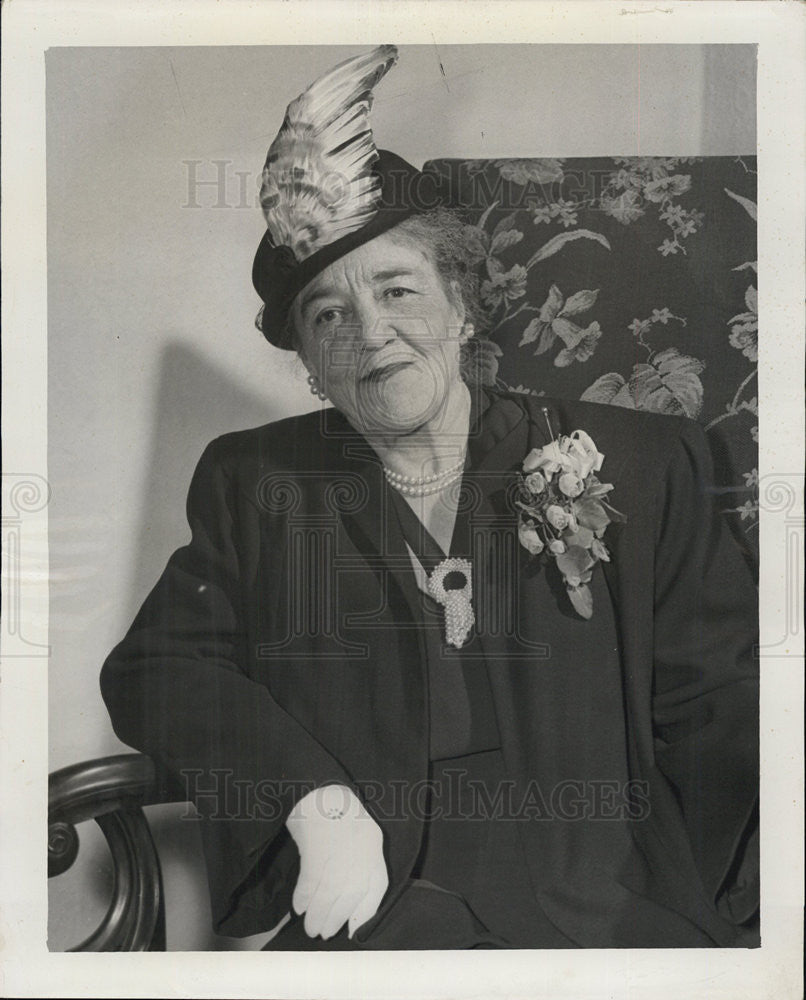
(342, 873)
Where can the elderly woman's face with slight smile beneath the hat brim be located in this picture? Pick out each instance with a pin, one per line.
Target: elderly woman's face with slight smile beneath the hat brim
(382, 335)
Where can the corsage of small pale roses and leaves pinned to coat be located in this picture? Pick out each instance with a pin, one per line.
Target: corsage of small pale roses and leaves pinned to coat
(562, 511)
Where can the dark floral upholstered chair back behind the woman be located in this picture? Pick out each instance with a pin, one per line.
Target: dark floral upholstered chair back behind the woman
(627, 281)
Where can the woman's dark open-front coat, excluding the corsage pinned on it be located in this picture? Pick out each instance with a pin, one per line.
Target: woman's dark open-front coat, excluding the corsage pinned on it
(280, 650)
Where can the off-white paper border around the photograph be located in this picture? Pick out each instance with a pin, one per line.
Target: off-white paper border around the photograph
(773, 970)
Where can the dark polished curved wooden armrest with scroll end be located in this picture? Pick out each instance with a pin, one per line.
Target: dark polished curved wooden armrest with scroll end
(113, 791)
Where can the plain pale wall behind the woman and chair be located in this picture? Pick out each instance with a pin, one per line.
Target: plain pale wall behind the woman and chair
(152, 348)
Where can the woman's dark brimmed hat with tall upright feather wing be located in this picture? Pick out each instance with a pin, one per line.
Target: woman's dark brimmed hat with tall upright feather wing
(326, 189)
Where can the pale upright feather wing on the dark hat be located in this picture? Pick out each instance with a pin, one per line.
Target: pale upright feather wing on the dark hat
(317, 184)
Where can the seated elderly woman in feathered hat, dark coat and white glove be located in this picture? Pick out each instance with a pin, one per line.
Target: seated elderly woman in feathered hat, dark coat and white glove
(426, 687)
